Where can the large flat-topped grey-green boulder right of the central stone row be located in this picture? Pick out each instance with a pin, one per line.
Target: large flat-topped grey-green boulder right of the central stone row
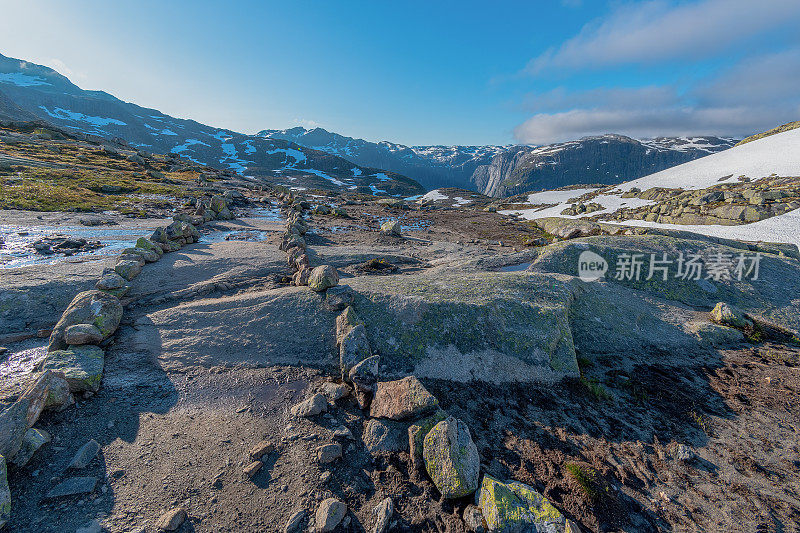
(465, 326)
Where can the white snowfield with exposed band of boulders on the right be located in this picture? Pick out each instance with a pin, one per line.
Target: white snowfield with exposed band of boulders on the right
(750, 192)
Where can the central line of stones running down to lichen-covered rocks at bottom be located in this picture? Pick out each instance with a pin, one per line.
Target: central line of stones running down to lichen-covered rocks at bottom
(439, 445)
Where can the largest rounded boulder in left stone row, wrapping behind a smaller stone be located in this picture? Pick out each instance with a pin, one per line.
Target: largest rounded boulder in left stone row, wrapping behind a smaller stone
(97, 308)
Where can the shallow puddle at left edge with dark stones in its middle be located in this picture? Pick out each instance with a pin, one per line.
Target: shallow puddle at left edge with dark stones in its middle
(17, 250)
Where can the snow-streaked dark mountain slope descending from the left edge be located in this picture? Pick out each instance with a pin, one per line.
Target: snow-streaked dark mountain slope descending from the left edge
(29, 91)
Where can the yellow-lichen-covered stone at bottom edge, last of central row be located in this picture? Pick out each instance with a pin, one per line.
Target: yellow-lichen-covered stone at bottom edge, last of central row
(515, 506)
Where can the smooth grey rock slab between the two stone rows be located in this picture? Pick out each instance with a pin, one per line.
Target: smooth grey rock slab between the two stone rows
(290, 326)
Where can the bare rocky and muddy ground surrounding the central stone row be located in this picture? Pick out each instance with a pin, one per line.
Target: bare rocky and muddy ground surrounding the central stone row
(644, 416)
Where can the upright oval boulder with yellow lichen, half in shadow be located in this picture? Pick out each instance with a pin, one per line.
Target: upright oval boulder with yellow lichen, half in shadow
(451, 458)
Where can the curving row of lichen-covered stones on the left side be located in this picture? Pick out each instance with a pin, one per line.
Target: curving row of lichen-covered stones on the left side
(75, 360)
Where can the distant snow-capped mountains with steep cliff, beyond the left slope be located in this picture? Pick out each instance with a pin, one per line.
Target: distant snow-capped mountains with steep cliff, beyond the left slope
(503, 171)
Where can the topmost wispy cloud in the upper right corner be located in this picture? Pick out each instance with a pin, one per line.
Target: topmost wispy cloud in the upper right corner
(656, 30)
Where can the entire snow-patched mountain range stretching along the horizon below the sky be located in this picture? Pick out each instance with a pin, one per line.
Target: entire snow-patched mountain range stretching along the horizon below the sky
(316, 158)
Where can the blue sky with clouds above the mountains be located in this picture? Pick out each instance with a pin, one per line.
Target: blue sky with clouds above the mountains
(431, 72)
